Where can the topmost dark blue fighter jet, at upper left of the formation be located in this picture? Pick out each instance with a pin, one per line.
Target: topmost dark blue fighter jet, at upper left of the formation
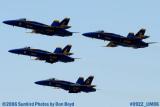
(56, 28)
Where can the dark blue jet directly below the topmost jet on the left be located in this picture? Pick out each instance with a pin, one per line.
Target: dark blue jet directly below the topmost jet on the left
(62, 55)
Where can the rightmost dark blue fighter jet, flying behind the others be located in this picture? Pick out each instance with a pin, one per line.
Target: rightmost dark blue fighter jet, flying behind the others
(132, 40)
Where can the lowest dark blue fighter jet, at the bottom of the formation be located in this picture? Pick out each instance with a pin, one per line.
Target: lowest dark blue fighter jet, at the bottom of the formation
(79, 86)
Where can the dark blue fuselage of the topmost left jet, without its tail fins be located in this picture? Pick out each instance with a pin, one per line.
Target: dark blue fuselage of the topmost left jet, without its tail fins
(39, 27)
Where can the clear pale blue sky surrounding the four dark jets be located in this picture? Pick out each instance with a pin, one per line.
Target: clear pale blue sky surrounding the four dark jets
(122, 75)
